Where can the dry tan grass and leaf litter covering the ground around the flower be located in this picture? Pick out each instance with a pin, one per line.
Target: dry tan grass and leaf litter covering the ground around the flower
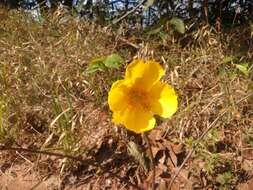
(49, 103)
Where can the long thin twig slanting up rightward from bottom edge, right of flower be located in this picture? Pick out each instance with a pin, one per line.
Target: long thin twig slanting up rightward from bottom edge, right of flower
(194, 147)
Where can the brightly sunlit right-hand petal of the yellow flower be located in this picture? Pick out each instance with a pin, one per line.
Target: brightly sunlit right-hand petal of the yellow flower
(163, 100)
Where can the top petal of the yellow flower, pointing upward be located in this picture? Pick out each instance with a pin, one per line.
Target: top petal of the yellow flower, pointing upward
(145, 73)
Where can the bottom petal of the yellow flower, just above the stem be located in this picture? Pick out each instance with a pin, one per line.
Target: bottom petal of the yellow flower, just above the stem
(135, 120)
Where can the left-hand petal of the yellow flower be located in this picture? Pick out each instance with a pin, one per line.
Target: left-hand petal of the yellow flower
(117, 95)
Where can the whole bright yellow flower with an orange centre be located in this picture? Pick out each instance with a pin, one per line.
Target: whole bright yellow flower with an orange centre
(137, 98)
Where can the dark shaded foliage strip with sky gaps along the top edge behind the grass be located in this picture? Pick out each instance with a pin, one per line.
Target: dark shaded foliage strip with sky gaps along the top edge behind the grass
(149, 12)
